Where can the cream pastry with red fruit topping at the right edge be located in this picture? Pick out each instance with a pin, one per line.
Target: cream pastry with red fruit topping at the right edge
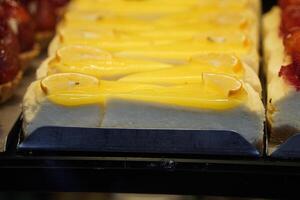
(281, 50)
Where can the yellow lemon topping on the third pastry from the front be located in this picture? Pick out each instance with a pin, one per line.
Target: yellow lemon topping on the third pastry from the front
(168, 48)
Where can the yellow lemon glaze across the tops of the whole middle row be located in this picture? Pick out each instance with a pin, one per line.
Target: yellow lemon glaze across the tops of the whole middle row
(120, 49)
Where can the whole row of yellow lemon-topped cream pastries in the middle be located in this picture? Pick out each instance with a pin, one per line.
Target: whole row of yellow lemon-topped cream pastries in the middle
(152, 64)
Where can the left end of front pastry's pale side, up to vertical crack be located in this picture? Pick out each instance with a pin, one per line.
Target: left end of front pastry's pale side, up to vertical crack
(38, 112)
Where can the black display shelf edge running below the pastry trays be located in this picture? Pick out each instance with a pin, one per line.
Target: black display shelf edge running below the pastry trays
(159, 173)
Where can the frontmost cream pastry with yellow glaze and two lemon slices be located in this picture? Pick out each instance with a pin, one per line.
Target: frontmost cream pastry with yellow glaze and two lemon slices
(217, 103)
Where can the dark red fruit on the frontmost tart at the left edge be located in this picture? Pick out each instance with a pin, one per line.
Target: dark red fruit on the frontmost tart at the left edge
(9, 52)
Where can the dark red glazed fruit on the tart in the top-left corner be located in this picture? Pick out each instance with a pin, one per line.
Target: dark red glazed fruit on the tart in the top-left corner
(19, 17)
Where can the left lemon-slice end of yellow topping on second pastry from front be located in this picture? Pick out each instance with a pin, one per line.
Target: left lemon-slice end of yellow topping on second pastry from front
(98, 63)
